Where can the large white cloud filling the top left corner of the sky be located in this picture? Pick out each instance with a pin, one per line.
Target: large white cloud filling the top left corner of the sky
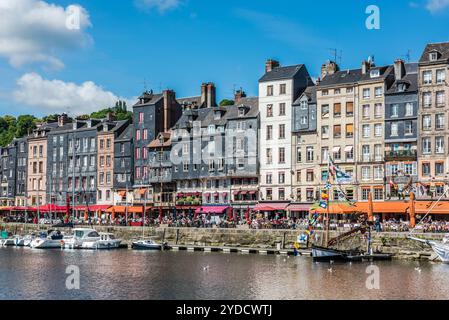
(34, 31)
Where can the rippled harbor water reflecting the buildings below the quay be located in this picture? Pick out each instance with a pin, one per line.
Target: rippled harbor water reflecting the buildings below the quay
(126, 274)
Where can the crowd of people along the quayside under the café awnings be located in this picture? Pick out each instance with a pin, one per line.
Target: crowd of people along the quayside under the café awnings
(254, 221)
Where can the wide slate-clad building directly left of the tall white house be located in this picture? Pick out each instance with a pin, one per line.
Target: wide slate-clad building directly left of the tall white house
(218, 152)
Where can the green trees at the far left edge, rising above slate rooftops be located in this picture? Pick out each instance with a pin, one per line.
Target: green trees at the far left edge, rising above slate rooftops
(11, 127)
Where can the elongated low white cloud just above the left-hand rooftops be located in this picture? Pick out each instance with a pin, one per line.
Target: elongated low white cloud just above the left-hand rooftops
(56, 96)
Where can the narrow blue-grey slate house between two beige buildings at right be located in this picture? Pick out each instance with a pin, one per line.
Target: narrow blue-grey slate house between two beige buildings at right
(401, 130)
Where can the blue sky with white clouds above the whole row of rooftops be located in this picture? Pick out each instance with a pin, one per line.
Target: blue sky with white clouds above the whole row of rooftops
(77, 57)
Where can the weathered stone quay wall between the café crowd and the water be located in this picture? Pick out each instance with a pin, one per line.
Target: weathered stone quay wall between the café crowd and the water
(385, 242)
